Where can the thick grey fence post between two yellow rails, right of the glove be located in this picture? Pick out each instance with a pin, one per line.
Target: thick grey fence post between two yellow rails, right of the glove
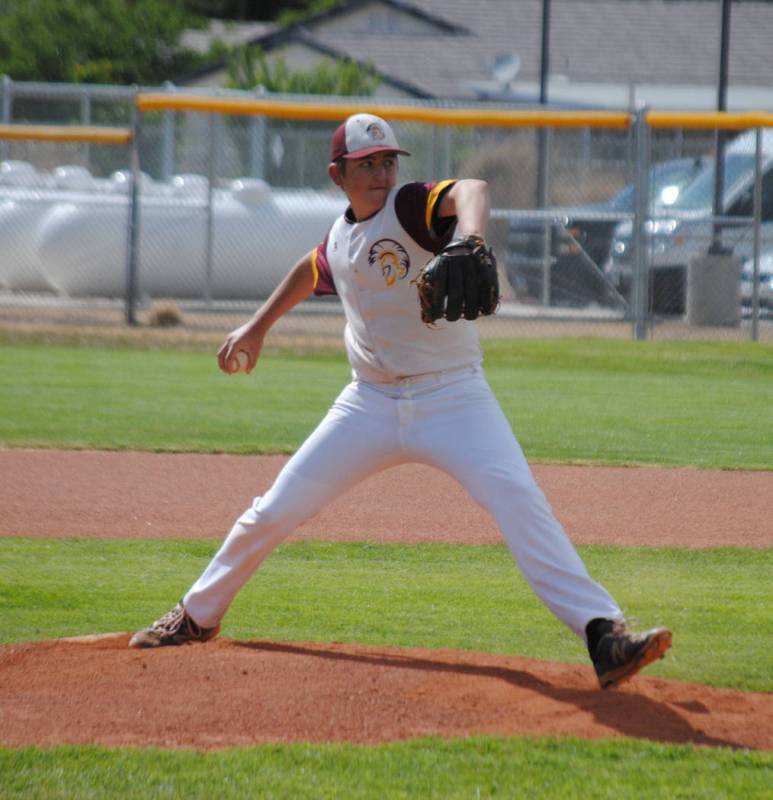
(640, 286)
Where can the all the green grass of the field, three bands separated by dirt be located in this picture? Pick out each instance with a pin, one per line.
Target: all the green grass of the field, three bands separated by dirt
(586, 401)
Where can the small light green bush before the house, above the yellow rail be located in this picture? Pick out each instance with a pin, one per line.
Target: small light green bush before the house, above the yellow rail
(248, 67)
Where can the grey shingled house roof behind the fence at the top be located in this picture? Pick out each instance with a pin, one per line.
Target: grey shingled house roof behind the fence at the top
(669, 42)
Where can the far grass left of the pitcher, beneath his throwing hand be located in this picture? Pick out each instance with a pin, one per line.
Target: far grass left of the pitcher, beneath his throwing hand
(70, 396)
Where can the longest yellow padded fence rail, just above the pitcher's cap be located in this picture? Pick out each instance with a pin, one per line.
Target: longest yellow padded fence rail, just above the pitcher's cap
(335, 112)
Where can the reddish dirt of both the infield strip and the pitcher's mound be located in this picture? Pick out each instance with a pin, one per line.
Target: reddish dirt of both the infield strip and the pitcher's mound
(249, 692)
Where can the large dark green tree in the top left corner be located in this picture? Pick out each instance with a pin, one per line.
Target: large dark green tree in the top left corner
(95, 41)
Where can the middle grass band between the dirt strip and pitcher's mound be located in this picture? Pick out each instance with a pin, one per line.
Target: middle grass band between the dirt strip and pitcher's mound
(432, 595)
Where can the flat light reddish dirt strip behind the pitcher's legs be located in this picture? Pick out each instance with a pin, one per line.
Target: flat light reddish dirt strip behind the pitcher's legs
(110, 494)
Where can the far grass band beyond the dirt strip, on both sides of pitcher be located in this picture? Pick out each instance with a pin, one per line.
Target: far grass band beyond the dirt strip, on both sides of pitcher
(701, 404)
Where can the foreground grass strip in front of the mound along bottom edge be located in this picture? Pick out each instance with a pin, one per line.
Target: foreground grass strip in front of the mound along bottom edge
(427, 768)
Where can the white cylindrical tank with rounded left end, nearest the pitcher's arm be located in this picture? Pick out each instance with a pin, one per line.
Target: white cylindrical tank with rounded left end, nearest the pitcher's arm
(257, 236)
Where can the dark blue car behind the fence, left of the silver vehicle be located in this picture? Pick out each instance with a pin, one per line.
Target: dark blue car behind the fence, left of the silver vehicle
(580, 240)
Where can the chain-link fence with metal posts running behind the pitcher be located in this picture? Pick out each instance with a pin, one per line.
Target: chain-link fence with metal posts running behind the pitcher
(599, 230)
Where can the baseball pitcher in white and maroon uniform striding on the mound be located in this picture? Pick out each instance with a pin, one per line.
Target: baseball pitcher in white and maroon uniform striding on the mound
(412, 270)
